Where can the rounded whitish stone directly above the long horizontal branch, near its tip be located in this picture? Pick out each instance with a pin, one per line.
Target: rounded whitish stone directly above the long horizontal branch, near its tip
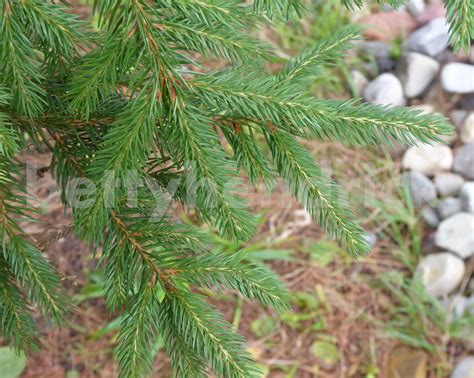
(386, 89)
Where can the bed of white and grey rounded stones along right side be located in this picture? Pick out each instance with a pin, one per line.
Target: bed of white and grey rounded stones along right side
(441, 176)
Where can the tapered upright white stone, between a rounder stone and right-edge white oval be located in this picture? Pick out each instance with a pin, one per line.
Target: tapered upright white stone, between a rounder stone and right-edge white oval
(421, 70)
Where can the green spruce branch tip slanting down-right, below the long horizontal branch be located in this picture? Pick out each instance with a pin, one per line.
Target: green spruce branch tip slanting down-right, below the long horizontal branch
(319, 195)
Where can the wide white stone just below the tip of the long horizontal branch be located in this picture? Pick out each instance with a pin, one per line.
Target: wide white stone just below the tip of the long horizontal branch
(428, 159)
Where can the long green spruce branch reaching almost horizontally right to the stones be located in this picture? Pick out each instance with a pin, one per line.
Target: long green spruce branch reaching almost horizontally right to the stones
(325, 119)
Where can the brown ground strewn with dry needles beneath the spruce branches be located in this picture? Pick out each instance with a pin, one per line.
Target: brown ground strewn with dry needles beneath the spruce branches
(351, 312)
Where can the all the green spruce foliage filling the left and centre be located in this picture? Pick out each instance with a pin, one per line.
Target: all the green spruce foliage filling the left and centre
(129, 98)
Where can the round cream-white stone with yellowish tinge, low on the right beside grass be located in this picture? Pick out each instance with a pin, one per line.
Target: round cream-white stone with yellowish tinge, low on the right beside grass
(440, 273)
